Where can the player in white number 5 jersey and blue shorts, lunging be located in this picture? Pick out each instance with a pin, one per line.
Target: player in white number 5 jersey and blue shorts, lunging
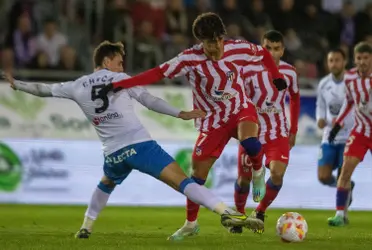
(126, 143)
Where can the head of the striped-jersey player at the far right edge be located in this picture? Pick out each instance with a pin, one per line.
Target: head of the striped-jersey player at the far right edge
(363, 57)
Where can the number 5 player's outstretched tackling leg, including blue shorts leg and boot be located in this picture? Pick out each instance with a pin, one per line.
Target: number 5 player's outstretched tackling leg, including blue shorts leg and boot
(151, 159)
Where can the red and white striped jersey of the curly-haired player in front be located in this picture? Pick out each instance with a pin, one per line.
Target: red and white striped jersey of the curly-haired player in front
(217, 86)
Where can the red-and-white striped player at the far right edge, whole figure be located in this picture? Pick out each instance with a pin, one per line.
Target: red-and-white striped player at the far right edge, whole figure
(358, 95)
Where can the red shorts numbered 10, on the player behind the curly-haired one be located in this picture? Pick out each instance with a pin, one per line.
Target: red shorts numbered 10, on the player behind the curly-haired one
(276, 150)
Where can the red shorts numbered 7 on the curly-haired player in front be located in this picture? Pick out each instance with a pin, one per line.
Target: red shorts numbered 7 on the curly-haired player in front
(212, 143)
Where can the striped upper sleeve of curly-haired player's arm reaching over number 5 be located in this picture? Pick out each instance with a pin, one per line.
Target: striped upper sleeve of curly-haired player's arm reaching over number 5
(178, 66)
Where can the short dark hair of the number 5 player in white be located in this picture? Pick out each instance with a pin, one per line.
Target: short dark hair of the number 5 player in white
(107, 49)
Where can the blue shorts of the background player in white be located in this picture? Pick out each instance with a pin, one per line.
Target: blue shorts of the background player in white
(331, 155)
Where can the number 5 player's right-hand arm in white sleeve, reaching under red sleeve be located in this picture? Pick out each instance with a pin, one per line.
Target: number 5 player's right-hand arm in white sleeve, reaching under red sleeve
(160, 106)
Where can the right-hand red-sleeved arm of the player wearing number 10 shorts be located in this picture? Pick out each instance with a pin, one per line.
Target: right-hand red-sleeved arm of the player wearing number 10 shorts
(294, 106)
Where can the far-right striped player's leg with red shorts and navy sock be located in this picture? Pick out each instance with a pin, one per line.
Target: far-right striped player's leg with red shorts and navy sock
(355, 149)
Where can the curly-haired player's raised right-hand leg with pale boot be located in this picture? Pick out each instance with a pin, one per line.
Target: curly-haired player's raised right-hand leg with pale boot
(247, 133)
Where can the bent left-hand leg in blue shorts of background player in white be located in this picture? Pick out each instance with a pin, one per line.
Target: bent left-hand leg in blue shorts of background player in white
(327, 161)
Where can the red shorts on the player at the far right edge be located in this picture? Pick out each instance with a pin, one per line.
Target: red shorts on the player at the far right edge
(357, 145)
